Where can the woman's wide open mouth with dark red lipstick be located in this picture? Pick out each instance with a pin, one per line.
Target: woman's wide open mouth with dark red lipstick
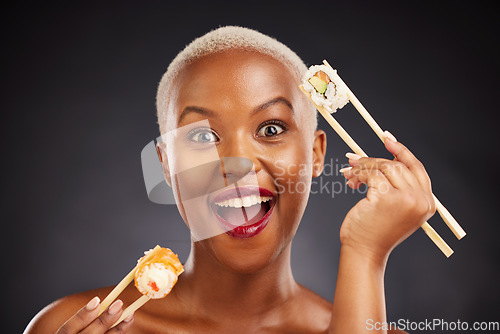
(243, 212)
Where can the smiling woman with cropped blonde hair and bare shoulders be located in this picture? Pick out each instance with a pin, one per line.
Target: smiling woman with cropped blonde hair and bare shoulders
(232, 96)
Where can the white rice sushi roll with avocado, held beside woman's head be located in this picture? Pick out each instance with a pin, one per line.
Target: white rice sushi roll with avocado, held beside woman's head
(319, 81)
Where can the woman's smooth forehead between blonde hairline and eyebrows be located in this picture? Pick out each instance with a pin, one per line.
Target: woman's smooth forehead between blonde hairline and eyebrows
(234, 78)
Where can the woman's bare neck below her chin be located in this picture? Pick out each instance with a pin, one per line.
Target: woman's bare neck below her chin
(219, 291)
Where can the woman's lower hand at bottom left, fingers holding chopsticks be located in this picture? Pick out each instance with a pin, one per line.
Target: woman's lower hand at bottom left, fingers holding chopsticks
(87, 321)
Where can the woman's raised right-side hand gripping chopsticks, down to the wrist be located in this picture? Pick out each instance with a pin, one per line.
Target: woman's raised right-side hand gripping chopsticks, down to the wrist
(398, 201)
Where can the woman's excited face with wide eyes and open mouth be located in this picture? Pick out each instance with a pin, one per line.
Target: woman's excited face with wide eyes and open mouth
(242, 157)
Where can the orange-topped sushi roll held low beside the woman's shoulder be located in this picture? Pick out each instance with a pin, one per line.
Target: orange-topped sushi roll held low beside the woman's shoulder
(156, 276)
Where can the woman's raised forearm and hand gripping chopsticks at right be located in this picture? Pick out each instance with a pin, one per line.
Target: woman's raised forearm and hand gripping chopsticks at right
(398, 201)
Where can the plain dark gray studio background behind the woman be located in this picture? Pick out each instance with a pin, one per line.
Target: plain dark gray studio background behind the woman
(77, 106)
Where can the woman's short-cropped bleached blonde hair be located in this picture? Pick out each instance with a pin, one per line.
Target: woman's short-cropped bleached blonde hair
(222, 39)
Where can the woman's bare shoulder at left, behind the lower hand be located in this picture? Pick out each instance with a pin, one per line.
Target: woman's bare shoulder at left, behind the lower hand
(54, 315)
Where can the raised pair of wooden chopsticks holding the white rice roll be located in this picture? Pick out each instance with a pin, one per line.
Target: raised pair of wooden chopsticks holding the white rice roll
(449, 220)
